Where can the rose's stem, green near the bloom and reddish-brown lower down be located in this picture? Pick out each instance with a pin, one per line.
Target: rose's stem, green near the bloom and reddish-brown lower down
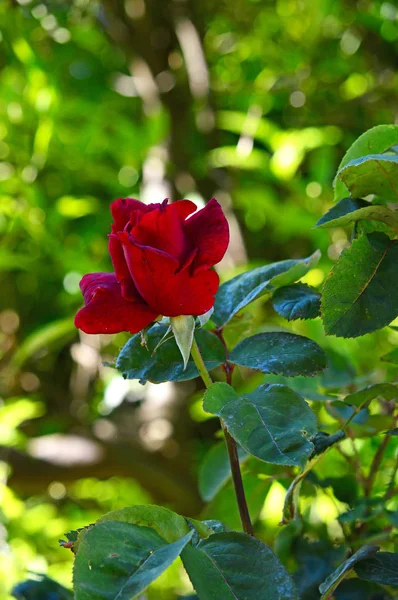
(231, 447)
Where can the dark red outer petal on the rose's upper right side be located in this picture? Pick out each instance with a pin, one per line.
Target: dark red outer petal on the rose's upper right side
(208, 230)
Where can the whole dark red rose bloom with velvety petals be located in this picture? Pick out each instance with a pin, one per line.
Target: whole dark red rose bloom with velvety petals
(162, 262)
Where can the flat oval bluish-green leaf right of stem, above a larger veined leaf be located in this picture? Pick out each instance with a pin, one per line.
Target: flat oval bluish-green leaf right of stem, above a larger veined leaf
(280, 353)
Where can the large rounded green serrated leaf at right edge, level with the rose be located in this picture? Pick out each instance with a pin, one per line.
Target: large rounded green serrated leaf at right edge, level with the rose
(359, 295)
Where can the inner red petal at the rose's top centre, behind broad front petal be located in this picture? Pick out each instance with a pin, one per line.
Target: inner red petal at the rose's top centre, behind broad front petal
(163, 228)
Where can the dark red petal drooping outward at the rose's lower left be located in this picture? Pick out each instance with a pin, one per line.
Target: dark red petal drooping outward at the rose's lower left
(106, 311)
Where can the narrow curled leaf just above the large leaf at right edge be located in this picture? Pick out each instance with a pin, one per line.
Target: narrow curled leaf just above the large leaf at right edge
(349, 210)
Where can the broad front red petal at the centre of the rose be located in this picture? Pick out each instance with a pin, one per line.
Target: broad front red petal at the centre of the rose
(167, 290)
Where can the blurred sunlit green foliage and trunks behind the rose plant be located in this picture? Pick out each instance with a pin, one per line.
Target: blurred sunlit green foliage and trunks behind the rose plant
(251, 101)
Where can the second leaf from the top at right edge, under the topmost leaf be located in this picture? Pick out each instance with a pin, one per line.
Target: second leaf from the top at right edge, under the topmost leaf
(372, 174)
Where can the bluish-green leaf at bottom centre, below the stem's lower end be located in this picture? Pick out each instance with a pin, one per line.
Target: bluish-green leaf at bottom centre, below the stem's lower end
(235, 566)
